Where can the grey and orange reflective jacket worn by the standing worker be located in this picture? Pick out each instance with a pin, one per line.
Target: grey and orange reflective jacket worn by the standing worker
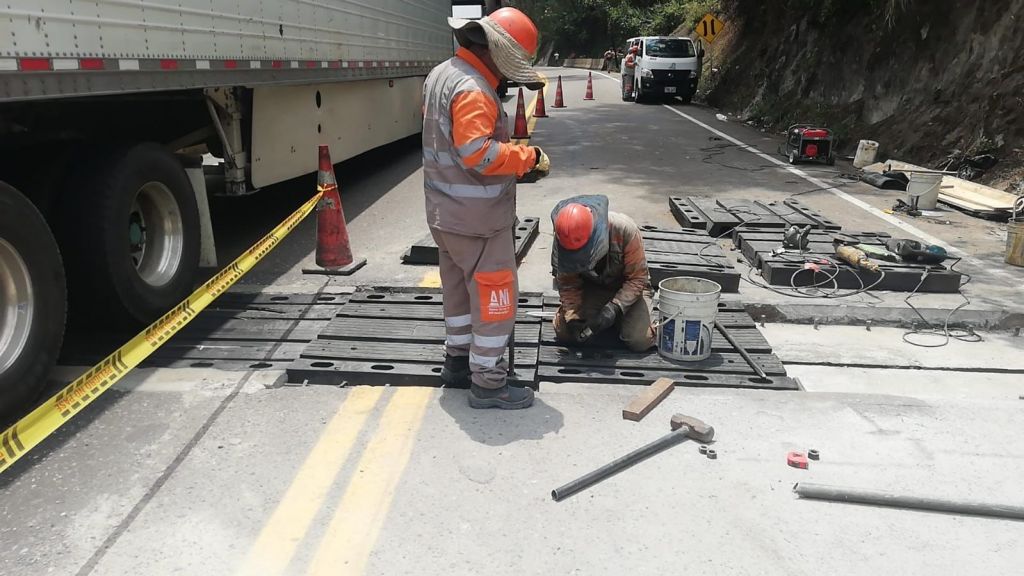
(470, 168)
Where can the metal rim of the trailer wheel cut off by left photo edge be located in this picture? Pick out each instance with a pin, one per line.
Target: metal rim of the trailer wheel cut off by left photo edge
(18, 305)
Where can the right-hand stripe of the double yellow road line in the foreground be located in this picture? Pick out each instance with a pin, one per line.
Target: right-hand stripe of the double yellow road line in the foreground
(358, 521)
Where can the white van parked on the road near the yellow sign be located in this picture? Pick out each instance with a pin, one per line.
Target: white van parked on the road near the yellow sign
(666, 68)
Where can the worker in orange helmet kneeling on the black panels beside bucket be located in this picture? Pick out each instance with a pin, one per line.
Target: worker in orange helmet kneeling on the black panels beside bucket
(602, 272)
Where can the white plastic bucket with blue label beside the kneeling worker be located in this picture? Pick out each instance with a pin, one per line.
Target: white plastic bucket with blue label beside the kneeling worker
(688, 308)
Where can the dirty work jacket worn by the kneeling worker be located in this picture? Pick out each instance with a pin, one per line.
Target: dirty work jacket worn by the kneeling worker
(624, 270)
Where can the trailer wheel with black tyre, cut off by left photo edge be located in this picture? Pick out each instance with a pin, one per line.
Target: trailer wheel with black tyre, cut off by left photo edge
(32, 301)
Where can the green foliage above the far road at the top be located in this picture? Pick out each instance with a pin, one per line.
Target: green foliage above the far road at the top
(590, 27)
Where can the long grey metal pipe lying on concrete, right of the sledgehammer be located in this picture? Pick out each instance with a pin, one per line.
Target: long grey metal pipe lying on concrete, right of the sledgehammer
(881, 499)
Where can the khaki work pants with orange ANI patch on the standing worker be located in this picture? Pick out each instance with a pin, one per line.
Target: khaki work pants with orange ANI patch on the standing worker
(481, 289)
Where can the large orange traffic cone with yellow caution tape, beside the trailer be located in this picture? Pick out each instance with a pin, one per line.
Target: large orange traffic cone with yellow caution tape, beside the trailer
(334, 255)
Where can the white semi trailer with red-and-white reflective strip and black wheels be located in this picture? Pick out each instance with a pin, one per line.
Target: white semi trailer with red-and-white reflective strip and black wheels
(107, 106)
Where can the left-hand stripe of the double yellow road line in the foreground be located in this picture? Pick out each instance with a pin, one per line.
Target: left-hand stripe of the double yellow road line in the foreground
(288, 526)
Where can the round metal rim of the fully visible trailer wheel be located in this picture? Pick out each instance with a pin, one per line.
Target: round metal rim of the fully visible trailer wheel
(156, 234)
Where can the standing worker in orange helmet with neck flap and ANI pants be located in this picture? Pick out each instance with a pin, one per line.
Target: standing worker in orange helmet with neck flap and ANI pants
(470, 176)
